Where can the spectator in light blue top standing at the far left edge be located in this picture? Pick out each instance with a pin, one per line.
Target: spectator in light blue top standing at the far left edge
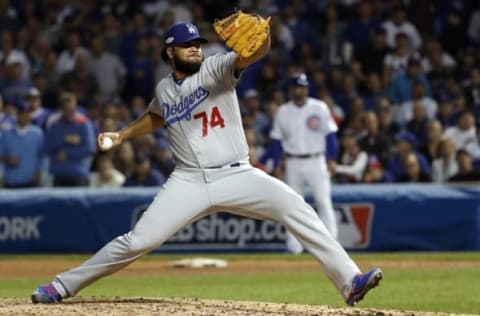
(22, 148)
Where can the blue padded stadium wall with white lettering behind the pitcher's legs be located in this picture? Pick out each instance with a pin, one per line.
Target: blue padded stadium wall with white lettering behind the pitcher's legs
(387, 217)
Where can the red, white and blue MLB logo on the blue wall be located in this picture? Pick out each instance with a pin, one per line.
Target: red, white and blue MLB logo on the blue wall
(354, 224)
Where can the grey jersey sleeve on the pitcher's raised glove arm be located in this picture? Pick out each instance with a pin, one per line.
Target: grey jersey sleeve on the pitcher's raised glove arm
(222, 68)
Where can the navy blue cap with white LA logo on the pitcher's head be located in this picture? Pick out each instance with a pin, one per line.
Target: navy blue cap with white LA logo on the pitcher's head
(180, 33)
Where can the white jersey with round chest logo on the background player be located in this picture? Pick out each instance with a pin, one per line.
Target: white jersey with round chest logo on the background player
(306, 133)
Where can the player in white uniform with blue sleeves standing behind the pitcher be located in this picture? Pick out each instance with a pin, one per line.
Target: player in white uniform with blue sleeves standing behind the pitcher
(305, 133)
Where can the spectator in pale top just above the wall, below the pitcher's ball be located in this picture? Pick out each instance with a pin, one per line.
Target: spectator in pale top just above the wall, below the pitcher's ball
(106, 176)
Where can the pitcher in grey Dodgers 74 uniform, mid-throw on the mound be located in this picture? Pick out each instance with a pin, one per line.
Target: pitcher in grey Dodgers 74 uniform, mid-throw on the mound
(198, 105)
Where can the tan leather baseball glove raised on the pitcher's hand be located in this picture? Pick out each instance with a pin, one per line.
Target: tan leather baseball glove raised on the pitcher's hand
(244, 33)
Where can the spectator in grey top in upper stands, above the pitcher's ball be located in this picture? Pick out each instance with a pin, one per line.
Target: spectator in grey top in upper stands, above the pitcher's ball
(108, 70)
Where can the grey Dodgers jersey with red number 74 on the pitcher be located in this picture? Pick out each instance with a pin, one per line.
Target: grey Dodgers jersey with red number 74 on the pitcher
(202, 115)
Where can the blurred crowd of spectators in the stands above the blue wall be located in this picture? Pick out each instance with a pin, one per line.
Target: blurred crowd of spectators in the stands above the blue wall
(402, 80)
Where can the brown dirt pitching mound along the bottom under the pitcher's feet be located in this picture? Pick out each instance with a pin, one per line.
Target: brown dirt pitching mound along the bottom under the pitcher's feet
(181, 306)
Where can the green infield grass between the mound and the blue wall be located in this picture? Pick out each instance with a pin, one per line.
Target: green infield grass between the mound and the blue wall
(440, 289)
